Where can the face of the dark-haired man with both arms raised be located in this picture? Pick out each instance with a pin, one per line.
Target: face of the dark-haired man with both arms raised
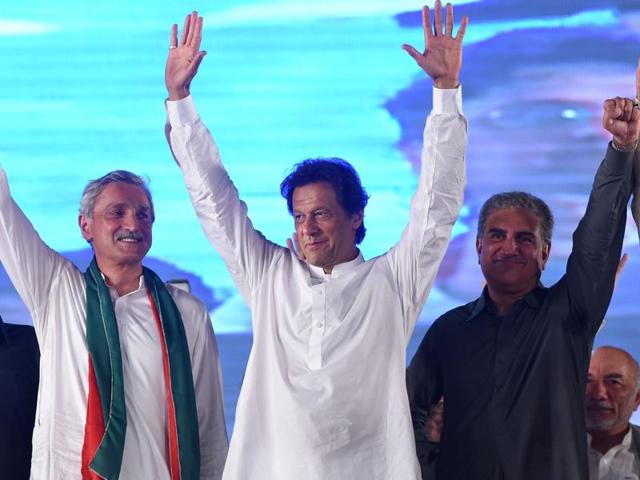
(326, 233)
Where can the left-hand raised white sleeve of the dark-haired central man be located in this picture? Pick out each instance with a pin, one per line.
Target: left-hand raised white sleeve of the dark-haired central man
(223, 216)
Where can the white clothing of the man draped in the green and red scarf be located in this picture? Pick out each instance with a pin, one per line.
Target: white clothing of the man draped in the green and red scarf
(54, 291)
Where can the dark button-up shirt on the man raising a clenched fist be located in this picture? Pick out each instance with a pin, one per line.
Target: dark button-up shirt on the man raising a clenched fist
(514, 385)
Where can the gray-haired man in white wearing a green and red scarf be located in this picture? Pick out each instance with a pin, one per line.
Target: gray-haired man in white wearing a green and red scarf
(130, 381)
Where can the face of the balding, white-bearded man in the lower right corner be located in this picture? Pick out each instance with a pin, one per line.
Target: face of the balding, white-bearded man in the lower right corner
(612, 394)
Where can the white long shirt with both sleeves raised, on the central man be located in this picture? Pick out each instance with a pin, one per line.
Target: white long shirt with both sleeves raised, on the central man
(324, 393)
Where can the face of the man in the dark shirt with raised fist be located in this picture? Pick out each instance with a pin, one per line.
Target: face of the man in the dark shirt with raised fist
(511, 251)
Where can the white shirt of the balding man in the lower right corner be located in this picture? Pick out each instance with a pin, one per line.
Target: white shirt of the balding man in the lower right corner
(618, 463)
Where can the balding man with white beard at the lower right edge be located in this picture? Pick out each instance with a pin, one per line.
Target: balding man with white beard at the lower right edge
(613, 394)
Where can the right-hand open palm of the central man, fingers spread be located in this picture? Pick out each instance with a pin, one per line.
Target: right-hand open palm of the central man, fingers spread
(442, 57)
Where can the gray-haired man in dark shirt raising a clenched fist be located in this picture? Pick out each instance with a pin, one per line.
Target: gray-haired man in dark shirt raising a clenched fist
(512, 364)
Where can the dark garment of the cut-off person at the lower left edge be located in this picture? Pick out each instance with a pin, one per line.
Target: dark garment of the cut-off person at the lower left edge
(19, 362)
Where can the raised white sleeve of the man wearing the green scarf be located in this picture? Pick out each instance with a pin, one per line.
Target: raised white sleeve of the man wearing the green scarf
(31, 265)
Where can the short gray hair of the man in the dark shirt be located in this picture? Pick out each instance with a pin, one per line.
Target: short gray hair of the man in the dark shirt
(522, 200)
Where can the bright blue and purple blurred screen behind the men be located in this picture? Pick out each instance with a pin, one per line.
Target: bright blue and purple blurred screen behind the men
(82, 92)
